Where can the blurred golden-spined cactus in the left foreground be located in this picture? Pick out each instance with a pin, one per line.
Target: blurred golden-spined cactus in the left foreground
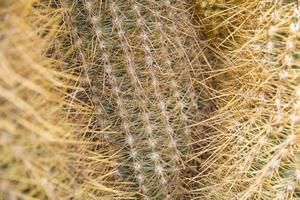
(41, 150)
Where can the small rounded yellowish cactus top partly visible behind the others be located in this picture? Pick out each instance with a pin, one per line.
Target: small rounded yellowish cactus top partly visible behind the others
(224, 22)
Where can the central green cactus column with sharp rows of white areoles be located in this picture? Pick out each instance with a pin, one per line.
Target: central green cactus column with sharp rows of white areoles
(135, 63)
